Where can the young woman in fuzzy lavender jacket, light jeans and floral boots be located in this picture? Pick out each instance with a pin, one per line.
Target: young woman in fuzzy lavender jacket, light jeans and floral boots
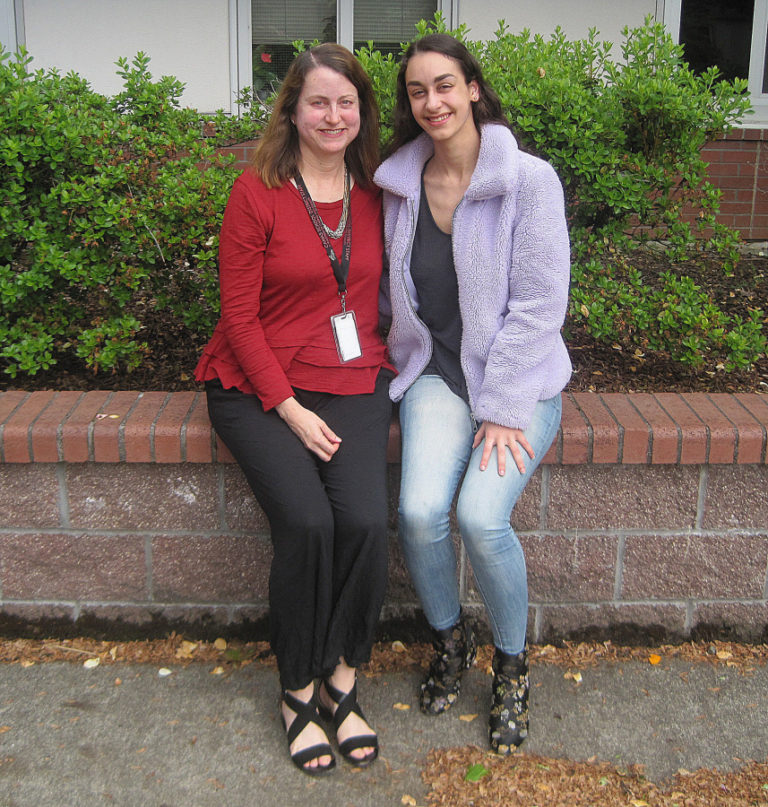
(478, 251)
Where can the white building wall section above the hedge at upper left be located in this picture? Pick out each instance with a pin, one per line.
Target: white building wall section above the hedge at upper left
(188, 39)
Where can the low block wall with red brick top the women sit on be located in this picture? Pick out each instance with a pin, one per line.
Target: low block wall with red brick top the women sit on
(122, 515)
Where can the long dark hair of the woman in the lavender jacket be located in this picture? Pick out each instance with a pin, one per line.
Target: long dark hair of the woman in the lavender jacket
(487, 109)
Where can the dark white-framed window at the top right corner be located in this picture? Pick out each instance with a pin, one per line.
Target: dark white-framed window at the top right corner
(731, 34)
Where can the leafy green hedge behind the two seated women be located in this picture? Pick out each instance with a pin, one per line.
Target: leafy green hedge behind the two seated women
(110, 207)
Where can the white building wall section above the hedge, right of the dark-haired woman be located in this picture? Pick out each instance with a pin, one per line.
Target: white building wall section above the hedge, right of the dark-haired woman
(575, 17)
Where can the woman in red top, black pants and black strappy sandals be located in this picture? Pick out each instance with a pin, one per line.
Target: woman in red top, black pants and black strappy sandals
(296, 378)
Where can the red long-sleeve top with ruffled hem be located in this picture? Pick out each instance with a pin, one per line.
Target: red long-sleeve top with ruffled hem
(278, 293)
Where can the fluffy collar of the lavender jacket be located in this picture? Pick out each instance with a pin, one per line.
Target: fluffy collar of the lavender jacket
(495, 173)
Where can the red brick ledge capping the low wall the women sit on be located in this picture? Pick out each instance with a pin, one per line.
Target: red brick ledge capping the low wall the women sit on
(161, 427)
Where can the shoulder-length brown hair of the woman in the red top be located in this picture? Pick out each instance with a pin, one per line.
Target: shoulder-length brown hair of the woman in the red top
(275, 158)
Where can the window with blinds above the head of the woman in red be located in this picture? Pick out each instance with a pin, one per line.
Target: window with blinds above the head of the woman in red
(274, 26)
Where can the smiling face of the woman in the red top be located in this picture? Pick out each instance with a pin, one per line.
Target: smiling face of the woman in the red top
(327, 115)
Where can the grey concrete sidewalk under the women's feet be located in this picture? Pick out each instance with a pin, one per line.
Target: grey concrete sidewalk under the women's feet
(73, 737)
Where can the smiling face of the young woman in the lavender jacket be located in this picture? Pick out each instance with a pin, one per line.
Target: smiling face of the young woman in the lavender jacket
(440, 98)
